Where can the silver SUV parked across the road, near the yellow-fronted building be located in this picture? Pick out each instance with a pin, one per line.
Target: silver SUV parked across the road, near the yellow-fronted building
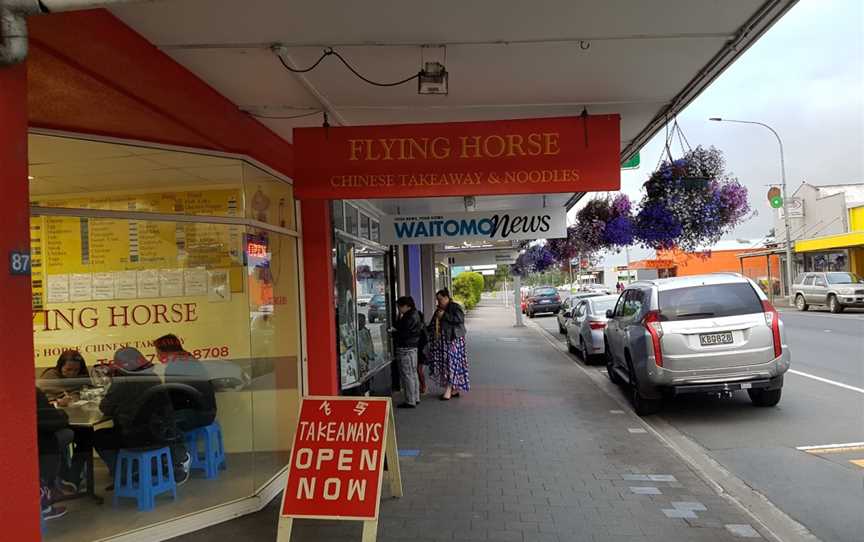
(834, 289)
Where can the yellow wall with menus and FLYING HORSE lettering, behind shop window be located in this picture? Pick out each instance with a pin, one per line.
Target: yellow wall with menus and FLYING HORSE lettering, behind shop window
(100, 284)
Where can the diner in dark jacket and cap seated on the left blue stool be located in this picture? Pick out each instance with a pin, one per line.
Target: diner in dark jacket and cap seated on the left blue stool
(143, 416)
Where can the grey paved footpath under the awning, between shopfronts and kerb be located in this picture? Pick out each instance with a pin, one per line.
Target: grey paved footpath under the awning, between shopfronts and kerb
(535, 452)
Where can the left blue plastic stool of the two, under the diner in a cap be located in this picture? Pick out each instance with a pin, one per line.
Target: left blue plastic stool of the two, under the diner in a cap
(144, 474)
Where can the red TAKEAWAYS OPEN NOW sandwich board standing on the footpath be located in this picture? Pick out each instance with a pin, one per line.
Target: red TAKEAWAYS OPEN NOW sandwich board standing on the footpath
(337, 462)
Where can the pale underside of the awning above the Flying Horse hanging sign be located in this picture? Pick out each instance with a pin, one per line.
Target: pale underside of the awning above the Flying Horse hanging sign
(506, 58)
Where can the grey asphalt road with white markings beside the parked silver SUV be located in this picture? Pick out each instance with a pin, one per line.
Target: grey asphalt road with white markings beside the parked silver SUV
(822, 405)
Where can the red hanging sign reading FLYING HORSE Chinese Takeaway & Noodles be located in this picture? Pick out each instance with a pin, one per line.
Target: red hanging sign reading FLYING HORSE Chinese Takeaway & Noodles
(526, 156)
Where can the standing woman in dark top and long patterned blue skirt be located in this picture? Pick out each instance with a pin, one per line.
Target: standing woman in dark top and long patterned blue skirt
(447, 346)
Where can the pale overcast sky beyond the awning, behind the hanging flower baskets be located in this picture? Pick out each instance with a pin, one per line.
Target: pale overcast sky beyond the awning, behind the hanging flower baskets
(805, 78)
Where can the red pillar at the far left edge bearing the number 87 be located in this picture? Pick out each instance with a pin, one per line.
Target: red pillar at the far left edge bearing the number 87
(19, 513)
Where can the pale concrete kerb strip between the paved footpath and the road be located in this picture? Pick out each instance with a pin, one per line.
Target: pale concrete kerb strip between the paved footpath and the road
(776, 523)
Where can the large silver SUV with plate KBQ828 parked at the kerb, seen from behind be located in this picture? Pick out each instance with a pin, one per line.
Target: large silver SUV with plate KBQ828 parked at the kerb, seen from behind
(701, 334)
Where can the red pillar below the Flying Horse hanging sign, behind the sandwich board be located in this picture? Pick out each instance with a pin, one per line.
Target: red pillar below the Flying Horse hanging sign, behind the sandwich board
(320, 305)
